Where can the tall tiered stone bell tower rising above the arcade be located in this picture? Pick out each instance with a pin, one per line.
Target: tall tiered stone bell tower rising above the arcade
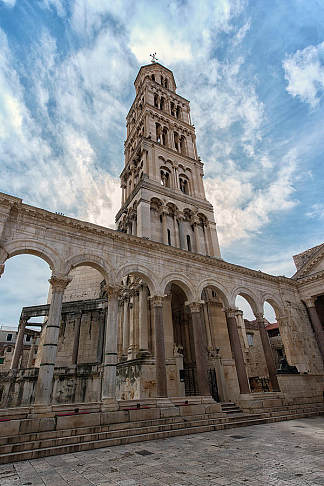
(163, 196)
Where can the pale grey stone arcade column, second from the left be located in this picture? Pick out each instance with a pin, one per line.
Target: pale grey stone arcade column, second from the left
(108, 391)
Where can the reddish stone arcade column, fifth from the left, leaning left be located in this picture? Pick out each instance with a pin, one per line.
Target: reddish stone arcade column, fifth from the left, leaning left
(237, 351)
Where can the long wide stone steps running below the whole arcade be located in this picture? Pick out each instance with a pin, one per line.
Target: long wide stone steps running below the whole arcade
(47, 443)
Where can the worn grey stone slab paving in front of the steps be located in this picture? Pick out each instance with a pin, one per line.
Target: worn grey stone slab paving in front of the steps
(285, 453)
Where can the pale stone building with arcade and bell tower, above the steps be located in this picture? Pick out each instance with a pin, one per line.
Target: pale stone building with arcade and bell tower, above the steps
(148, 311)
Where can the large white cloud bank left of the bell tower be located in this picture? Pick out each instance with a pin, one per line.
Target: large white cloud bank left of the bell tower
(72, 182)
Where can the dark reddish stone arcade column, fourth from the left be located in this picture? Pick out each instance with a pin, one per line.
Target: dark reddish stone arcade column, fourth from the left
(201, 352)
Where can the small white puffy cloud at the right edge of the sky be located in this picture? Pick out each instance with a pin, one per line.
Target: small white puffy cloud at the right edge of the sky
(304, 72)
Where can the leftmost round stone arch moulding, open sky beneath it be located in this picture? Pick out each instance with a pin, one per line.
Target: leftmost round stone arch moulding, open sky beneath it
(32, 247)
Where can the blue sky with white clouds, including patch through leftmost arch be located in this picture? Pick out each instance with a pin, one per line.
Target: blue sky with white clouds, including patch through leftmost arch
(253, 72)
